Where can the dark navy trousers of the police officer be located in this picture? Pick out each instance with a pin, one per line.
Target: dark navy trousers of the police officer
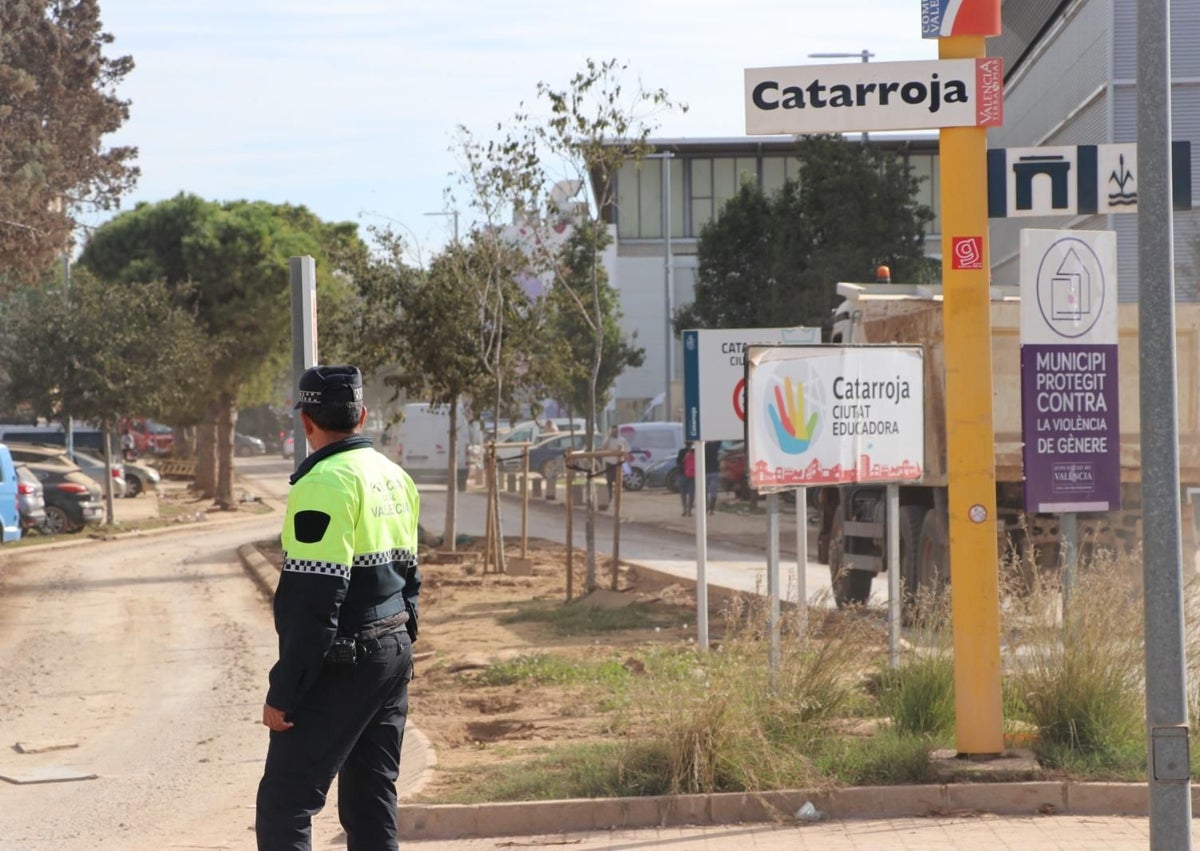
(350, 724)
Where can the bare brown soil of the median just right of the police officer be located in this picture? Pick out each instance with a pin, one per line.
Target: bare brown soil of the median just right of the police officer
(465, 630)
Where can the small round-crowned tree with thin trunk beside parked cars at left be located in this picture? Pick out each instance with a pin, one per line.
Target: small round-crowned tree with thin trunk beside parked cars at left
(97, 351)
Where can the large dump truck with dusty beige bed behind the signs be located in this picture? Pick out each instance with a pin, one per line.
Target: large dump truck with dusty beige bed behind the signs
(853, 538)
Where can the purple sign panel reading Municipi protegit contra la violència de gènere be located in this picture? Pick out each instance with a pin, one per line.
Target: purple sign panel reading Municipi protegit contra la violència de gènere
(1072, 429)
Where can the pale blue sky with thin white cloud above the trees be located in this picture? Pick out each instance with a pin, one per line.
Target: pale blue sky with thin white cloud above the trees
(351, 107)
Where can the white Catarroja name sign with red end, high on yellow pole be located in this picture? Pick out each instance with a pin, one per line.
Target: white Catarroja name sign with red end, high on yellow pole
(868, 97)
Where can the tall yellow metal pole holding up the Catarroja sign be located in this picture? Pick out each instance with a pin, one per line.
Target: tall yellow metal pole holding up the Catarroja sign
(970, 440)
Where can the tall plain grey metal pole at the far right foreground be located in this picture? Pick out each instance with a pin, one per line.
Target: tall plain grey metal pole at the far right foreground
(1167, 706)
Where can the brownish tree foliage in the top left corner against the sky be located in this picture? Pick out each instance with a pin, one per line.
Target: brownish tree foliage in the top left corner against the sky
(57, 104)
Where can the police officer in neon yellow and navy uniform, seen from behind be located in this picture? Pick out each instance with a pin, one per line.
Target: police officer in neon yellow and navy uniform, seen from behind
(346, 616)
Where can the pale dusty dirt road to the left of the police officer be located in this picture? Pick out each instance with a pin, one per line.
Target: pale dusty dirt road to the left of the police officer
(141, 662)
